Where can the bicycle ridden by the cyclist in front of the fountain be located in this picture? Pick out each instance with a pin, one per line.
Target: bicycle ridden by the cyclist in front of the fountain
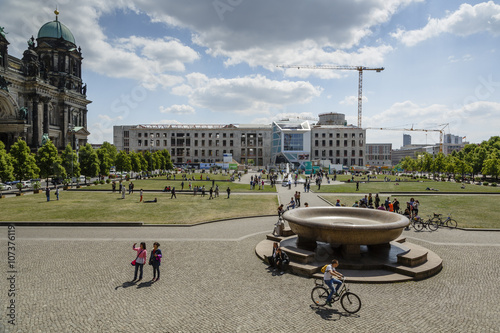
(350, 302)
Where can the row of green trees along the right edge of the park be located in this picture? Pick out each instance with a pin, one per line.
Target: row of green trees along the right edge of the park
(474, 159)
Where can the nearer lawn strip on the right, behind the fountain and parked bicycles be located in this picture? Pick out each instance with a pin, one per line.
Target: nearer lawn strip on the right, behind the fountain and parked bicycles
(474, 211)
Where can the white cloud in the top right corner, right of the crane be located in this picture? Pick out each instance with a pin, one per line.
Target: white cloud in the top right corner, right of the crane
(465, 21)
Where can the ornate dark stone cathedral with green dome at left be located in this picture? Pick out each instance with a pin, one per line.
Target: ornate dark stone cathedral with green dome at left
(42, 95)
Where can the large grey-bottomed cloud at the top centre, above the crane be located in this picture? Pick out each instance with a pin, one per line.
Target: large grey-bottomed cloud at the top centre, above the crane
(269, 33)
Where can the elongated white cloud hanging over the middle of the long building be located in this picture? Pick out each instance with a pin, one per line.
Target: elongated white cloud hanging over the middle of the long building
(256, 94)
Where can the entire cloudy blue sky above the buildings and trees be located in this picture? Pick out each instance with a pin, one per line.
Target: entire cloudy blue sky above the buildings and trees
(215, 62)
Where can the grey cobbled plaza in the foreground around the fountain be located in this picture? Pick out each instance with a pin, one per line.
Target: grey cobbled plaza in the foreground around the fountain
(74, 279)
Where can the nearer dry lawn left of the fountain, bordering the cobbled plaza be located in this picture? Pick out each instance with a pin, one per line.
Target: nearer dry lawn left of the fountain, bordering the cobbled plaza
(104, 206)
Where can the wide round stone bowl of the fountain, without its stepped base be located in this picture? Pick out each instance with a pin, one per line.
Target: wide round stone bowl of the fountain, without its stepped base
(345, 225)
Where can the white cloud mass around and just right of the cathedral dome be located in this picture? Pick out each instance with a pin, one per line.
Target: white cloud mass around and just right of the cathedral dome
(146, 60)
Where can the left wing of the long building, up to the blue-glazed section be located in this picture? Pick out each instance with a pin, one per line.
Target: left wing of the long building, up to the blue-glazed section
(198, 143)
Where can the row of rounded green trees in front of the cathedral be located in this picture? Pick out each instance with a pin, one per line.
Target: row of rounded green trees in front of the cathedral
(21, 164)
